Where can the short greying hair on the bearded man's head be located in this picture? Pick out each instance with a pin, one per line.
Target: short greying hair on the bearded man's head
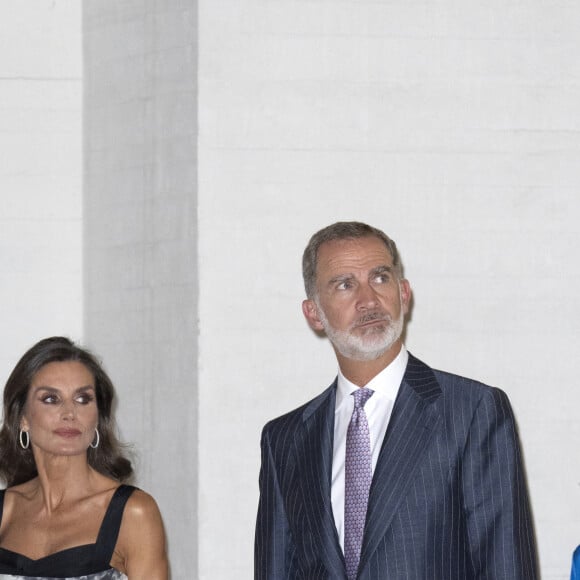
(342, 231)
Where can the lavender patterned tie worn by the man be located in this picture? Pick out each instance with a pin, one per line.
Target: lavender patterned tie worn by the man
(357, 480)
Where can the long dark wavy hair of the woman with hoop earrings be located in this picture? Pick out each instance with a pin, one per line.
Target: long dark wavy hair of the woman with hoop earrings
(16, 464)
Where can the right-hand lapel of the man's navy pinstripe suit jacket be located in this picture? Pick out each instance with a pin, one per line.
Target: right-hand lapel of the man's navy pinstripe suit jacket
(410, 428)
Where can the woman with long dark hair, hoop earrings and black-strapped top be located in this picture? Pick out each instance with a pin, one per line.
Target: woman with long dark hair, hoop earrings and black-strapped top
(66, 512)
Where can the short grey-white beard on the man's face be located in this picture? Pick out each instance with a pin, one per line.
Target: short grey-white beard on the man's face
(368, 346)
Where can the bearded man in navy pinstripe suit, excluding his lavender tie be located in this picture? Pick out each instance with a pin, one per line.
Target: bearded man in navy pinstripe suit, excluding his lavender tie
(448, 497)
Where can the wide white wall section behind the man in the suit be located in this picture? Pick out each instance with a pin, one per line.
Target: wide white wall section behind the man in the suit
(451, 125)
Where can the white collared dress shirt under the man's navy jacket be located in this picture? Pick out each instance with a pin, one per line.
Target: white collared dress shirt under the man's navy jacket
(378, 411)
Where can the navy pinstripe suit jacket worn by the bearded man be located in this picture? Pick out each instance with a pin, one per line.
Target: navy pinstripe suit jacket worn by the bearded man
(448, 500)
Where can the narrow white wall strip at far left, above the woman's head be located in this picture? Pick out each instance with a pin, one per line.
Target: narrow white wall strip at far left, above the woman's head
(40, 174)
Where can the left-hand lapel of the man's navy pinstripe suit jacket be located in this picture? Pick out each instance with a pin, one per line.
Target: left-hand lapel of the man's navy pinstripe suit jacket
(314, 450)
